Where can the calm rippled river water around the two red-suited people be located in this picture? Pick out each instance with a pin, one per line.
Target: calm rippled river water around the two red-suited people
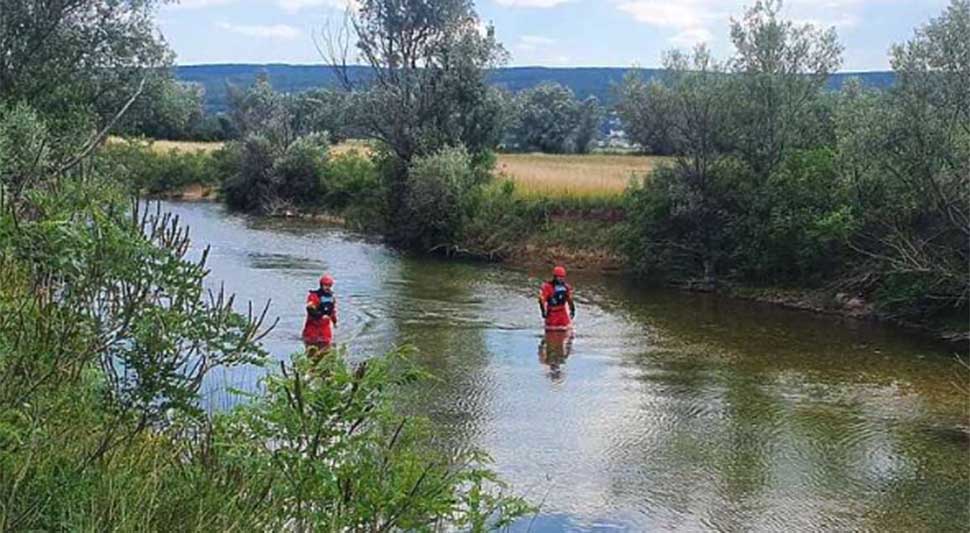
(665, 411)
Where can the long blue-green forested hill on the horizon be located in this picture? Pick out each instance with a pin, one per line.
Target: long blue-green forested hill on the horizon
(295, 78)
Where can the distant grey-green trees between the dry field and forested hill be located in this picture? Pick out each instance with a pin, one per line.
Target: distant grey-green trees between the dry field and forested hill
(546, 118)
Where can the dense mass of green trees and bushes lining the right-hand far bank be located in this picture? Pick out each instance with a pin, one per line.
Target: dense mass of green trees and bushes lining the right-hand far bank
(777, 181)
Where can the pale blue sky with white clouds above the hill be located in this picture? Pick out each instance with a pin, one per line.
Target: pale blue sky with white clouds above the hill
(541, 32)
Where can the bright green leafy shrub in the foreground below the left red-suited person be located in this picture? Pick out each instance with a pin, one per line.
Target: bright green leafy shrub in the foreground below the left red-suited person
(333, 455)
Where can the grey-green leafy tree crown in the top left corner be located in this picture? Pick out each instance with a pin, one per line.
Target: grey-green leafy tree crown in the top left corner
(84, 54)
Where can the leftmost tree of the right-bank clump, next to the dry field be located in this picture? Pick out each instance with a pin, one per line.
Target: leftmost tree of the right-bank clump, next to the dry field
(680, 216)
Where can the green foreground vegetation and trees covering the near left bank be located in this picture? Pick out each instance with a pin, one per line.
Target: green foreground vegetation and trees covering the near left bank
(107, 334)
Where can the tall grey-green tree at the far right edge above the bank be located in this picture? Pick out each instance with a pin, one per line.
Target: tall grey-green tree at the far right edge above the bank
(910, 158)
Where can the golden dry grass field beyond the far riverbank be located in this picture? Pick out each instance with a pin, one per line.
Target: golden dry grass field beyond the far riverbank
(536, 175)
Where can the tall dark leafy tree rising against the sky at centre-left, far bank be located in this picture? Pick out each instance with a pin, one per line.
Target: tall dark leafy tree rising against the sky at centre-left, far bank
(426, 85)
